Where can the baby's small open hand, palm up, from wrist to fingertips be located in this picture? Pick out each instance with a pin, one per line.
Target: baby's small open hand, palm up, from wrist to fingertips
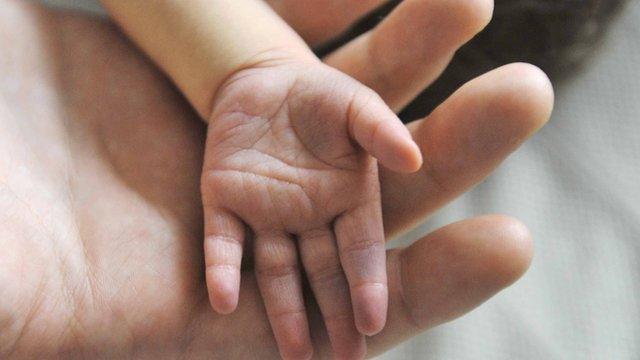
(288, 156)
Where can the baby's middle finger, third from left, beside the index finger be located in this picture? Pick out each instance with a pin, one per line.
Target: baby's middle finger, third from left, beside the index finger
(319, 253)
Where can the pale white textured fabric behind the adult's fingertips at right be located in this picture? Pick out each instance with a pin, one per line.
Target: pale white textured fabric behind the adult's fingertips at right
(577, 186)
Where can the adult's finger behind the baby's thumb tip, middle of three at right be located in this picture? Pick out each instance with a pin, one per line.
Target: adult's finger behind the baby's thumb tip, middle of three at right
(465, 139)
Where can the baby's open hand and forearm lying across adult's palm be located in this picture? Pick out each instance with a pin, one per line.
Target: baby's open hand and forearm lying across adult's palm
(291, 141)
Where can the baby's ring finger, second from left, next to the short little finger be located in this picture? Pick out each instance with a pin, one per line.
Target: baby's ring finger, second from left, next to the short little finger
(278, 277)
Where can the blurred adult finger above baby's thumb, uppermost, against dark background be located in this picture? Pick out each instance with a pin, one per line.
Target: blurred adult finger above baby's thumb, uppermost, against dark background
(412, 46)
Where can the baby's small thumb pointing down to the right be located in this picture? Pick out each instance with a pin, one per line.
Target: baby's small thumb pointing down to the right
(381, 133)
